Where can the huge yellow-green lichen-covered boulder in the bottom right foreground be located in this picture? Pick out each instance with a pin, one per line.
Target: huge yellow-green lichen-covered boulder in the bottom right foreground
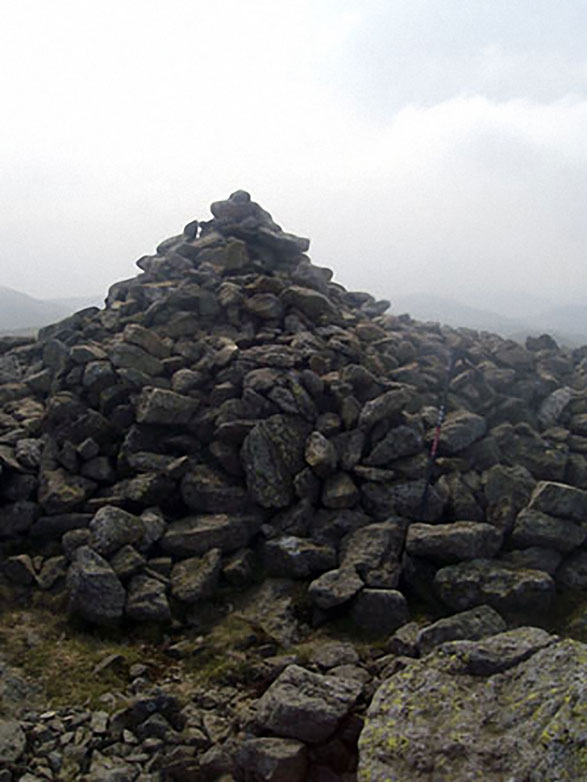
(523, 718)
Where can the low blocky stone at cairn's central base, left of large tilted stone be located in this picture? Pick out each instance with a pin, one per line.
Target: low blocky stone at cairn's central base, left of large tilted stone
(293, 557)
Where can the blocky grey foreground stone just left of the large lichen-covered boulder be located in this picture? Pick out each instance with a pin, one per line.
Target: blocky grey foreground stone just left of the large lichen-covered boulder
(306, 706)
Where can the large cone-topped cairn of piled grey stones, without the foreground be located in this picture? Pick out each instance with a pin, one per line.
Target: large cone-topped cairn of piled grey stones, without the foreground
(232, 413)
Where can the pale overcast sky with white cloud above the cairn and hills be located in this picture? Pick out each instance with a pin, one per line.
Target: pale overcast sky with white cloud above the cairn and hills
(422, 145)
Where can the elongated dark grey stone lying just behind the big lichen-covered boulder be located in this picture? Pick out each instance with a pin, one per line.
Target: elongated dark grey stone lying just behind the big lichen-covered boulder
(471, 625)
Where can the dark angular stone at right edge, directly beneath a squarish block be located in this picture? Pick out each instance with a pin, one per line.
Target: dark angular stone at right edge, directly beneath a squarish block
(533, 528)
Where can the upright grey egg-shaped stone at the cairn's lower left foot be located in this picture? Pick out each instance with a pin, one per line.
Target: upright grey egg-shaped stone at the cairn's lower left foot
(95, 591)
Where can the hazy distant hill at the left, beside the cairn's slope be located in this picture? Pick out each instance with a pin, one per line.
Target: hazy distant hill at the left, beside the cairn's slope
(21, 313)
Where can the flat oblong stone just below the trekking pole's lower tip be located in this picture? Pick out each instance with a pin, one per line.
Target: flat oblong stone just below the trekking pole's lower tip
(459, 540)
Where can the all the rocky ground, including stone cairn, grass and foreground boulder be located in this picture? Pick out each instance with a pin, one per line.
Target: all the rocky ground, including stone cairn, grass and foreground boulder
(219, 560)
